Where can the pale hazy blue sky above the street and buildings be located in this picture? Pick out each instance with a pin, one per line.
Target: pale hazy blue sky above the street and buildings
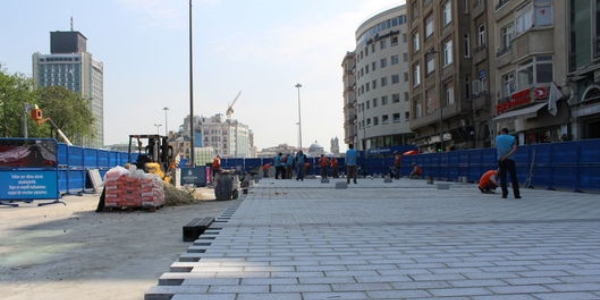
(261, 48)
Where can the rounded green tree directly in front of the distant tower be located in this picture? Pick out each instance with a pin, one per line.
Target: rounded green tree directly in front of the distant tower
(69, 111)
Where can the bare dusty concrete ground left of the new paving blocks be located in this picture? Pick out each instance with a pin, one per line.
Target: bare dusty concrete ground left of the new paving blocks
(71, 252)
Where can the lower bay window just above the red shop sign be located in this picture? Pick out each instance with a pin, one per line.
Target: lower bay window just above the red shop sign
(534, 71)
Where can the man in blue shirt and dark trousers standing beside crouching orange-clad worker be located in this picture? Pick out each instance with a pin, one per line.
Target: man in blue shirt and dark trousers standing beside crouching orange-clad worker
(506, 146)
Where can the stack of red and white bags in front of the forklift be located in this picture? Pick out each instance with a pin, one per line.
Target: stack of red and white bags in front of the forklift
(132, 188)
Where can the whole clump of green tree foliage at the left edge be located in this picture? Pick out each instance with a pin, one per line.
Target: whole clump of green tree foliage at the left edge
(69, 111)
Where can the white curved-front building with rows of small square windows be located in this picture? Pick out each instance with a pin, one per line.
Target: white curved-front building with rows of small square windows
(381, 111)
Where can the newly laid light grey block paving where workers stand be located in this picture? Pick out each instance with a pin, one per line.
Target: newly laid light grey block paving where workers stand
(401, 240)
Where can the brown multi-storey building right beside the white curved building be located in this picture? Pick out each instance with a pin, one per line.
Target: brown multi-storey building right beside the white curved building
(441, 69)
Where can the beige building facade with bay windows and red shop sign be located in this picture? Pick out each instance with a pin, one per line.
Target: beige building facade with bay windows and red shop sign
(528, 69)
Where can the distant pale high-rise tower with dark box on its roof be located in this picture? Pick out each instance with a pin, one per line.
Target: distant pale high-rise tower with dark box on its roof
(71, 66)
